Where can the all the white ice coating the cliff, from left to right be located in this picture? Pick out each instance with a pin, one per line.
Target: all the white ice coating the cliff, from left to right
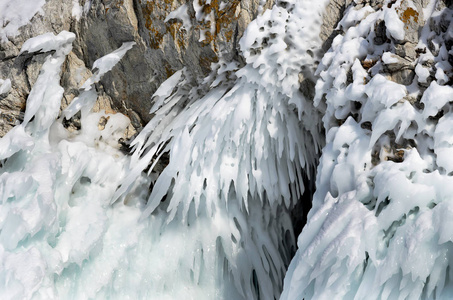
(80, 219)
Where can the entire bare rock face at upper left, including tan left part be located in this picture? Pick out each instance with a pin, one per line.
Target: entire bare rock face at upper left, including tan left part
(169, 35)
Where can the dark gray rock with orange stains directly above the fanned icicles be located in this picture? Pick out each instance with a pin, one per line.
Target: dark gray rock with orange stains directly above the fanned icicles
(163, 45)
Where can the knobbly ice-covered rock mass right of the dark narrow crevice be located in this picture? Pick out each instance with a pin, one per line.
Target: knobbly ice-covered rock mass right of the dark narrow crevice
(381, 231)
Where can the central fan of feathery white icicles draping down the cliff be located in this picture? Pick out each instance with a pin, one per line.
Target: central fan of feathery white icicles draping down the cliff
(238, 147)
